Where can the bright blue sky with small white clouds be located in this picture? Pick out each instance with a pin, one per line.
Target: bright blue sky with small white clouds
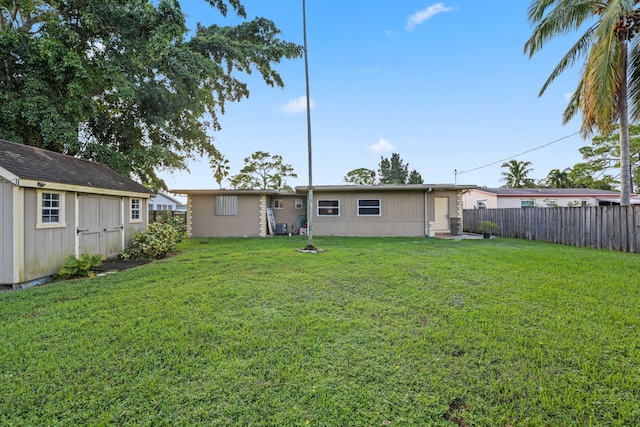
(444, 84)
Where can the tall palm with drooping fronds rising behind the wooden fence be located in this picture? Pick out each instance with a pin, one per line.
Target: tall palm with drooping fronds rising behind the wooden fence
(610, 79)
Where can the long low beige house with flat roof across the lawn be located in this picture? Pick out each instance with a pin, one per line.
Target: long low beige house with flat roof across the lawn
(341, 210)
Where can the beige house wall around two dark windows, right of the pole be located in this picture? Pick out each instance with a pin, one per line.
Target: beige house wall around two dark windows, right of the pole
(402, 214)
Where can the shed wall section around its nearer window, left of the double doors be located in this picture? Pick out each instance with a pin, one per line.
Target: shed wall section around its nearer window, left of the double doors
(45, 249)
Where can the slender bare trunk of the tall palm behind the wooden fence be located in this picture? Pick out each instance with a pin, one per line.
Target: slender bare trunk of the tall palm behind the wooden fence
(625, 170)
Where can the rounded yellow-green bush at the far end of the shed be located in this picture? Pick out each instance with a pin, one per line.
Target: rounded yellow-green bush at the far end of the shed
(159, 239)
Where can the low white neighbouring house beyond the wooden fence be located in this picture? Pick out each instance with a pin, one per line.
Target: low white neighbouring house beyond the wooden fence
(497, 198)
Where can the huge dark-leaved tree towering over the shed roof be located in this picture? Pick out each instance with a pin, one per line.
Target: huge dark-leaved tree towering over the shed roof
(124, 82)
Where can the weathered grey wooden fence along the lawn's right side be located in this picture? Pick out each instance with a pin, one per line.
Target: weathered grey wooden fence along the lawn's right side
(605, 227)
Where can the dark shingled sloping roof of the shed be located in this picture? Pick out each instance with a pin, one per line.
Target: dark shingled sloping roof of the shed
(20, 162)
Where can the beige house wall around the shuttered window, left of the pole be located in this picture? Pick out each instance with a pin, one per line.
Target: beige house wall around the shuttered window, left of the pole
(206, 224)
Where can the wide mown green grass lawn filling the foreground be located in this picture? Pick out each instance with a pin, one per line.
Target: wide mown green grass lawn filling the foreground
(373, 332)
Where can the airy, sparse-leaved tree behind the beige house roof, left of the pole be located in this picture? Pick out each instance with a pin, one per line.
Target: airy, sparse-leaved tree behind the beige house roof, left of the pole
(263, 171)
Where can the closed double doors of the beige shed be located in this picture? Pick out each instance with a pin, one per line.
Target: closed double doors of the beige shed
(100, 226)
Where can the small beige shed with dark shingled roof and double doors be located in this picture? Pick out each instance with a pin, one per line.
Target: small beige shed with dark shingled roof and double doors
(53, 206)
